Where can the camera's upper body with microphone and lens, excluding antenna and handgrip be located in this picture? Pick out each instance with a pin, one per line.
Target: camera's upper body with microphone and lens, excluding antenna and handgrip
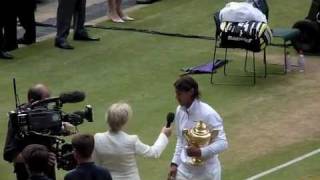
(46, 117)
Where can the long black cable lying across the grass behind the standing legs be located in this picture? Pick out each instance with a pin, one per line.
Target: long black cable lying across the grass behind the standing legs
(138, 30)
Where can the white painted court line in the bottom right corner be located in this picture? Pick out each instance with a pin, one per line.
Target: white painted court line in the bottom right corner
(284, 165)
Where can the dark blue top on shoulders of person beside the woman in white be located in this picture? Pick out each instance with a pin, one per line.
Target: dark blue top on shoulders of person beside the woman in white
(88, 171)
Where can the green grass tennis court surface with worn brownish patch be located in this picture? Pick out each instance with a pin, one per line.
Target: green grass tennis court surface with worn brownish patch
(141, 68)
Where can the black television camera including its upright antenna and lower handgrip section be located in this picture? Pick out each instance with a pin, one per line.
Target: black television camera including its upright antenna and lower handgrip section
(46, 119)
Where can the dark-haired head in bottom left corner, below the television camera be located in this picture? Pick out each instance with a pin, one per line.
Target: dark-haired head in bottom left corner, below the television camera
(36, 158)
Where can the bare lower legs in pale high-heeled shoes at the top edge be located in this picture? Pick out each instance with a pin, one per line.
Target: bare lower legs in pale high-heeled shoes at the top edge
(115, 12)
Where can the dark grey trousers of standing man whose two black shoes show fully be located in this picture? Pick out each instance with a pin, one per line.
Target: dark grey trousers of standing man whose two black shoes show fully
(68, 9)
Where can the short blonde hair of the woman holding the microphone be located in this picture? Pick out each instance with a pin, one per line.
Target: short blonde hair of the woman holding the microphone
(117, 115)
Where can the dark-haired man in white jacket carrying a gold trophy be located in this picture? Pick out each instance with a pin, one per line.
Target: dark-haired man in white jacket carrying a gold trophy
(188, 113)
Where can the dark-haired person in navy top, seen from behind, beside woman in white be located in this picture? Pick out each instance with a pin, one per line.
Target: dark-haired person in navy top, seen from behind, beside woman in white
(83, 145)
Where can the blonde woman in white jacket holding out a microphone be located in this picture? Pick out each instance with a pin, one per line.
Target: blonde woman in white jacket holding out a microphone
(117, 150)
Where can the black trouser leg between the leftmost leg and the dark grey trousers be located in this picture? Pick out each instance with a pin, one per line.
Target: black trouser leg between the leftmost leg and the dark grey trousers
(26, 17)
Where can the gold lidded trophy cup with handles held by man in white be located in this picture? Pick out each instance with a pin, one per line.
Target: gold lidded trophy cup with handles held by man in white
(199, 136)
